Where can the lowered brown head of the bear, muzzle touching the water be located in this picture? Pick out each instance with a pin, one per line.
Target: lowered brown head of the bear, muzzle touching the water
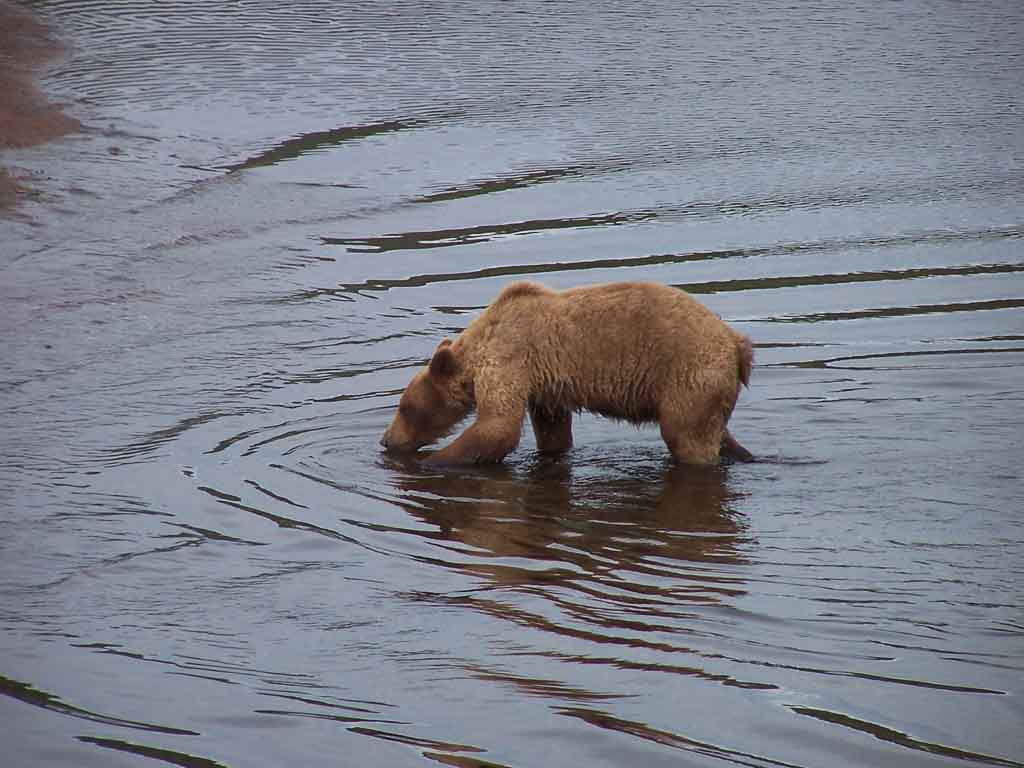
(433, 405)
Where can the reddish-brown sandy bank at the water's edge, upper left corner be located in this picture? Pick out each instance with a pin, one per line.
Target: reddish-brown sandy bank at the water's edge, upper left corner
(27, 118)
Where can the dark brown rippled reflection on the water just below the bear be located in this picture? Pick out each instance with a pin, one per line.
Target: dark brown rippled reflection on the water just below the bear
(667, 532)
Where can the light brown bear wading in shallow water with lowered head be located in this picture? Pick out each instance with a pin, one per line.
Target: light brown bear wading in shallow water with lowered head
(637, 352)
